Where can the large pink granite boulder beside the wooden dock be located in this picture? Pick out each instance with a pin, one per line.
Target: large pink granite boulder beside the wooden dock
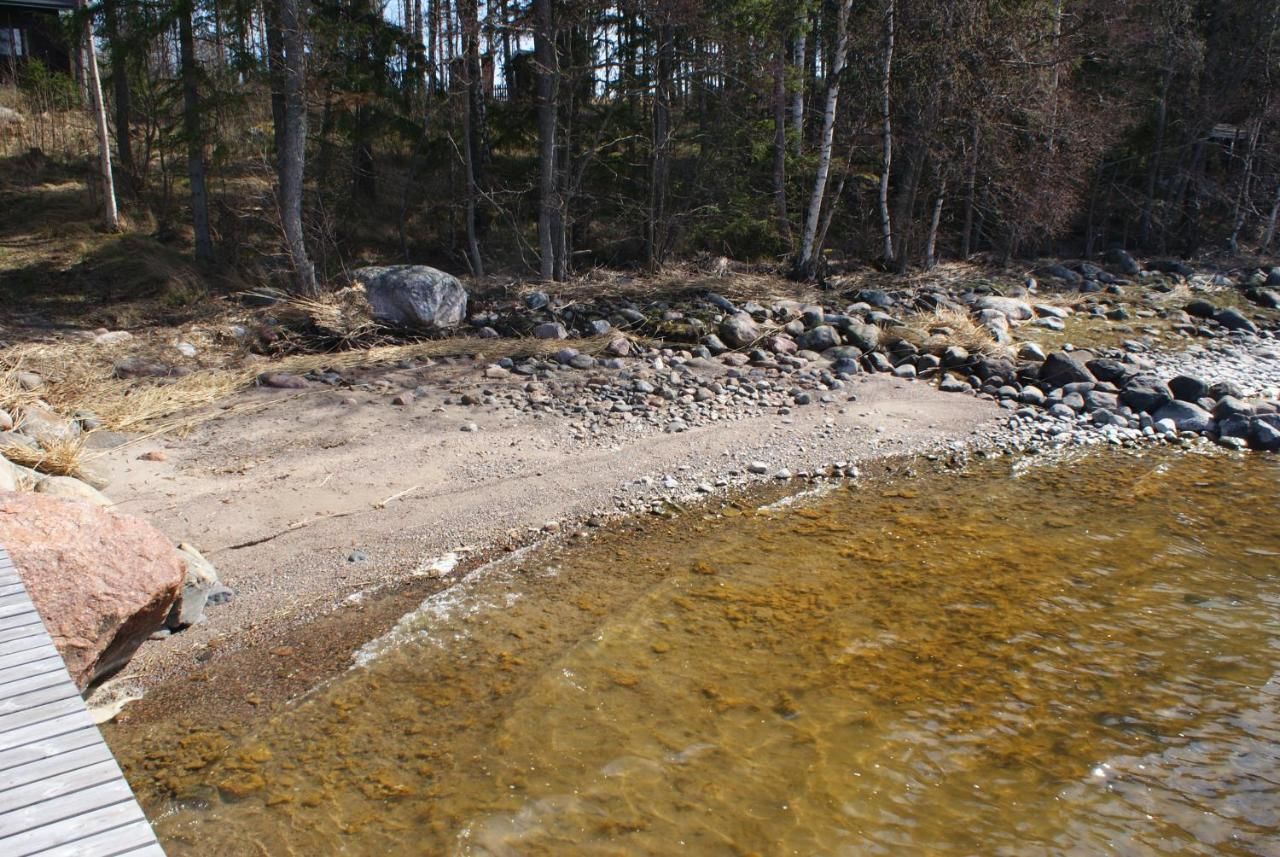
(103, 583)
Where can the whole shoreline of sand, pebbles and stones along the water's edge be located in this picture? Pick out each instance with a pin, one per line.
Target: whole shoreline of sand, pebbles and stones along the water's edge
(331, 511)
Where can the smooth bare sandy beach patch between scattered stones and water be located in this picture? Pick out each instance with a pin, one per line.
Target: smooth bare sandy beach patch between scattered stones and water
(282, 497)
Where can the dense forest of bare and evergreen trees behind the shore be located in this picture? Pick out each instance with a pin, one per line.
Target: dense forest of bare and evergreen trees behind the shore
(289, 140)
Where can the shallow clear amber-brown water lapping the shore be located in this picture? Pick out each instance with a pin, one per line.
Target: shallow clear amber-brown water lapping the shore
(1064, 659)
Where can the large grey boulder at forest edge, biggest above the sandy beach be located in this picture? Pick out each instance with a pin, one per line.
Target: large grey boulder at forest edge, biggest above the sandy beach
(413, 296)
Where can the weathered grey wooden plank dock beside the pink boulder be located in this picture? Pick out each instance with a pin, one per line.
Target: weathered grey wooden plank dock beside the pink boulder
(61, 791)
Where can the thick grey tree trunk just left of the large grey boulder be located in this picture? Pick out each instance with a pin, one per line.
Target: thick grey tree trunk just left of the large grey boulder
(294, 145)
